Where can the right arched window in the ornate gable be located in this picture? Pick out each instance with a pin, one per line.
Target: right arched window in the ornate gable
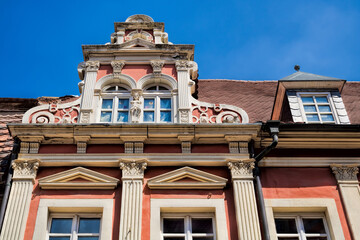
(157, 104)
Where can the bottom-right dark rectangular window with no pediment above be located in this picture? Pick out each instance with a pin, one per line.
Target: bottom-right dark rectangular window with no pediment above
(301, 226)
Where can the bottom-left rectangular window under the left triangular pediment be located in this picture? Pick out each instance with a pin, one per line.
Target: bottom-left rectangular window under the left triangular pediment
(70, 227)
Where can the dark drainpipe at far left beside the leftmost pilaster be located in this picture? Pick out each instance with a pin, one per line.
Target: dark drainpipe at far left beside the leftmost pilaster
(4, 202)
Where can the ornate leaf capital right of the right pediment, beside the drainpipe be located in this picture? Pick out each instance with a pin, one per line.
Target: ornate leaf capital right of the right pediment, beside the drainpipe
(241, 169)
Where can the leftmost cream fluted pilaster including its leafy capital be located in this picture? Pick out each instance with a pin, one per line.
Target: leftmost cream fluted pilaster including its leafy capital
(19, 200)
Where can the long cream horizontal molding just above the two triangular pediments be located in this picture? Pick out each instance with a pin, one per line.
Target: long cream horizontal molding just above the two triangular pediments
(154, 159)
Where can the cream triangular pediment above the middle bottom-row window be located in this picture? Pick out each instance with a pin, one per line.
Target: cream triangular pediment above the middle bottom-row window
(172, 180)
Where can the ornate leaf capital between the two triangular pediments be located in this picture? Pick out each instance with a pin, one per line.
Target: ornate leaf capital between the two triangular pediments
(132, 169)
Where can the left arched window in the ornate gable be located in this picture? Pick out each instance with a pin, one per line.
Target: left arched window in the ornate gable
(115, 104)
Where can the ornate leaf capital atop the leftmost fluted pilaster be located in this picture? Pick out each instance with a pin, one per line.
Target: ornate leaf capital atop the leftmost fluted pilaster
(25, 169)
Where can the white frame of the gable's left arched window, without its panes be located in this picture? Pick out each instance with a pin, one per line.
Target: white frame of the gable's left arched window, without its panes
(115, 96)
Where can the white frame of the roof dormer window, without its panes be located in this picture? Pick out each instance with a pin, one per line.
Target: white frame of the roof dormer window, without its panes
(314, 94)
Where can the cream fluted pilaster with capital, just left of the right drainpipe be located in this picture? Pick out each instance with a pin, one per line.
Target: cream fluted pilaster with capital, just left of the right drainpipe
(245, 202)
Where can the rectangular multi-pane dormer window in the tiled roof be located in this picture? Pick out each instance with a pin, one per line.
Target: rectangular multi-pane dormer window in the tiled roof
(317, 108)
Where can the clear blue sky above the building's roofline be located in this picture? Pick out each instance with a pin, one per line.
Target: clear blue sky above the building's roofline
(40, 41)
